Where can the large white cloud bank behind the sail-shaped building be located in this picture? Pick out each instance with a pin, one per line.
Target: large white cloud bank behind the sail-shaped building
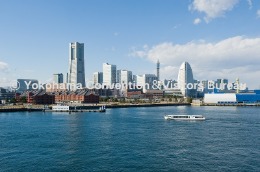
(229, 58)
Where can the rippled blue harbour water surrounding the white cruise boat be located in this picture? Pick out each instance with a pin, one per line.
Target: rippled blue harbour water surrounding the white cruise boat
(131, 139)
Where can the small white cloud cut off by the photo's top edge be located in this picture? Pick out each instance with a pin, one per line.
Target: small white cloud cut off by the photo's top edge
(213, 8)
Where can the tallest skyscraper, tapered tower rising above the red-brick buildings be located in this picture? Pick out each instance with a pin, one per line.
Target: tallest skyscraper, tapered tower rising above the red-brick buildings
(76, 74)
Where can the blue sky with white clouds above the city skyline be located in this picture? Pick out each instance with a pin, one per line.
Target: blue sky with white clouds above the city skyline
(219, 38)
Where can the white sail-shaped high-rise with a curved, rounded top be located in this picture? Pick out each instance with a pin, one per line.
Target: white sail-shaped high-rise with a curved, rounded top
(185, 80)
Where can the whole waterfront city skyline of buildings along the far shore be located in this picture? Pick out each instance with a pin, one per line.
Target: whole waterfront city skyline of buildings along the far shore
(121, 83)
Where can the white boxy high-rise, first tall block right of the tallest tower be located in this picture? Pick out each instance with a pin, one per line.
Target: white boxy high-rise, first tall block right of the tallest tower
(109, 74)
